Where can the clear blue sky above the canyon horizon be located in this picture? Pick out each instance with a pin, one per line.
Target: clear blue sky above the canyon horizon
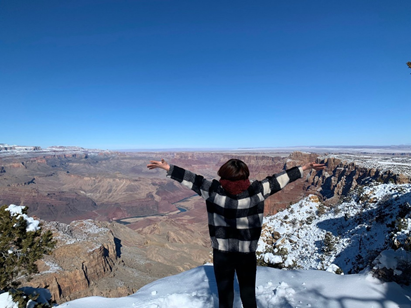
(116, 74)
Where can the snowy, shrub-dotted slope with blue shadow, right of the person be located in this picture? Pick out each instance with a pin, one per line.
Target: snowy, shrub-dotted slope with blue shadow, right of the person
(353, 228)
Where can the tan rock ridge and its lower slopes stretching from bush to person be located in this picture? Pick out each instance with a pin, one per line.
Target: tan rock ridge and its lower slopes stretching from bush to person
(111, 260)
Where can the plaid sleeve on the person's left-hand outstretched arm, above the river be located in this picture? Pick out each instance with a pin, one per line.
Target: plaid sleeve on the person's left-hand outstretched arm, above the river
(195, 182)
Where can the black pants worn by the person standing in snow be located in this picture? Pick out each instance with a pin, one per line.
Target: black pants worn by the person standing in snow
(225, 265)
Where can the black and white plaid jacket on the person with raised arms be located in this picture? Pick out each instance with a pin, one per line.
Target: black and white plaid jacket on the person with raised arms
(234, 221)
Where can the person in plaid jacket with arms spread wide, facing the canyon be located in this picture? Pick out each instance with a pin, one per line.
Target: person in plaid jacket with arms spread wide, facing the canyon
(235, 207)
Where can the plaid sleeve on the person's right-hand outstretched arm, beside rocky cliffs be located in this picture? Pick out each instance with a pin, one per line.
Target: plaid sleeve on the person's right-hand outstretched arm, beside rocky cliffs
(276, 182)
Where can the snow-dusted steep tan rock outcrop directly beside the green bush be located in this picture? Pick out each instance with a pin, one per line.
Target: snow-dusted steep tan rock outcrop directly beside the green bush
(85, 254)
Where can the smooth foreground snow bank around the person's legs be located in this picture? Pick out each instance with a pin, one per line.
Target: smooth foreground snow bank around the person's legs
(197, 288)
